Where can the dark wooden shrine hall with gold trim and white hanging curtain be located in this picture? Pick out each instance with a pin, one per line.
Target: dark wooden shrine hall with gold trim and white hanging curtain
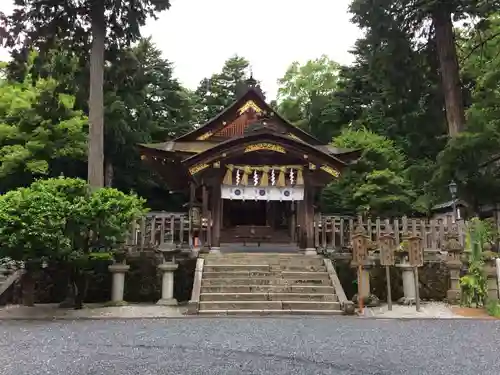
(254, 176)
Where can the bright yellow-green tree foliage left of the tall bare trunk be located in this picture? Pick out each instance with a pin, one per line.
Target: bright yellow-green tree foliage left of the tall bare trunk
(39, 132)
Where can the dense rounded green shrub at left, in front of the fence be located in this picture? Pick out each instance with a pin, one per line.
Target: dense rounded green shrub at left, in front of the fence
(62, 219)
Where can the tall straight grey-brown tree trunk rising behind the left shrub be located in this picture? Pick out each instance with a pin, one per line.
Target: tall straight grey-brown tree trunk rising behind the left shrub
(96, 97)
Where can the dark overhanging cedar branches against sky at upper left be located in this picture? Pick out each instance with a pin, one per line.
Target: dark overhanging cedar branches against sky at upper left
(66, 25)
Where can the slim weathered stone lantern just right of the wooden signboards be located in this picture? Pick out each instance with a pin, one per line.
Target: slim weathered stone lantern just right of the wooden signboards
(454, 263)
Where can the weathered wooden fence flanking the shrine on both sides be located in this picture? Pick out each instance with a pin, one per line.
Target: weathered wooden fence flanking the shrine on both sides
(330, 231)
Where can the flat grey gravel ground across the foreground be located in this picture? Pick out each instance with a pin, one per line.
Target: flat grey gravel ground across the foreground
(275, 346)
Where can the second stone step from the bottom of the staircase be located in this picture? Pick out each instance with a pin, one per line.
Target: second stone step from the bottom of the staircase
(268, 297)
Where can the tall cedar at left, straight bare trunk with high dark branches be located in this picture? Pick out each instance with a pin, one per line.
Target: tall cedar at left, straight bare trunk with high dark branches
(89, 28)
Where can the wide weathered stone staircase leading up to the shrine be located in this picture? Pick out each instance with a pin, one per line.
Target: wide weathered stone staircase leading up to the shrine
(267, 283)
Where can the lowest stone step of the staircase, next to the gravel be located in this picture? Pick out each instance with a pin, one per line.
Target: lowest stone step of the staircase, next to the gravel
(268, 305)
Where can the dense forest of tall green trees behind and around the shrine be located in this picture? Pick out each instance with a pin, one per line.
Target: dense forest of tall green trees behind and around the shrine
(421, 99)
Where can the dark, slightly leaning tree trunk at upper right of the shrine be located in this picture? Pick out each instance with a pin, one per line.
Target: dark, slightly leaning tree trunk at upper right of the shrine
(450, 74)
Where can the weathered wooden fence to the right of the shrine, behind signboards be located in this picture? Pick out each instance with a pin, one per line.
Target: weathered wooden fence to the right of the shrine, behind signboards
(335, 231)
